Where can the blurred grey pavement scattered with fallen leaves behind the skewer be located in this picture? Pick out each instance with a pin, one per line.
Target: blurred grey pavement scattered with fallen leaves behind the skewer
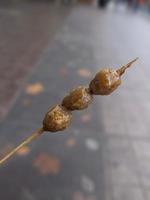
(104, 154)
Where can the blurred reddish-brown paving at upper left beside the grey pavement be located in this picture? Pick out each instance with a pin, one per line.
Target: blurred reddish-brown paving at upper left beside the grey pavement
(25, 31)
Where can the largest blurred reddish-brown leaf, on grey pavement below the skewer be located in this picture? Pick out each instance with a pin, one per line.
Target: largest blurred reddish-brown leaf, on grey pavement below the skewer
(47, 164)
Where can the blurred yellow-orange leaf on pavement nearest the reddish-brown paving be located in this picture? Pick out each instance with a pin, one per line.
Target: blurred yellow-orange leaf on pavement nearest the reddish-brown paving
(34, 89)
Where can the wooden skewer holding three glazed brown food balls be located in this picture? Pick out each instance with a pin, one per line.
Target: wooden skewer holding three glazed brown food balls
(59, 117)
